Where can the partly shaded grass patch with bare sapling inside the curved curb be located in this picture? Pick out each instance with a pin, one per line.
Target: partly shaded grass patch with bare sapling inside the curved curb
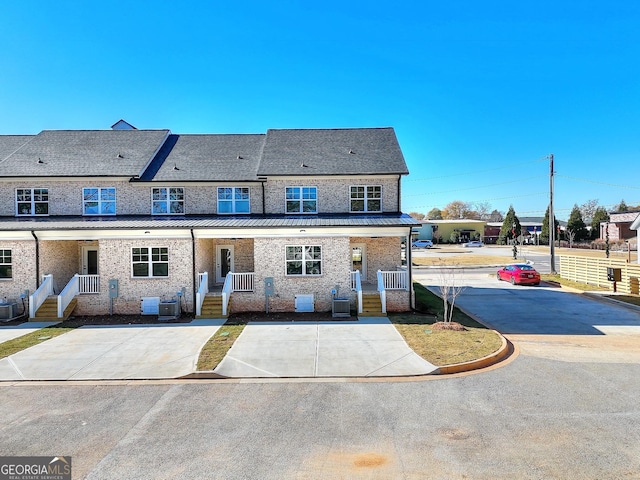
(443, 347)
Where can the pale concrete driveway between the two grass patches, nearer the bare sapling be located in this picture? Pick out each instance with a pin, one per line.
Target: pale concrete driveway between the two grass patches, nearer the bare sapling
(369, 347)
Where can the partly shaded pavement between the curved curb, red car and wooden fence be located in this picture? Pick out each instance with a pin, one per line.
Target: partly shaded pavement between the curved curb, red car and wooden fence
(549, 322)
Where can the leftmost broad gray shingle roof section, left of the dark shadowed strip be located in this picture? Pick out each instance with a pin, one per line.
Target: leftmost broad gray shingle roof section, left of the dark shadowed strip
(77, 153)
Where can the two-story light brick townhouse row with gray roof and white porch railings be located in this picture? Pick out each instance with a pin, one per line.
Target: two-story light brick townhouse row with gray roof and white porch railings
(126, 220)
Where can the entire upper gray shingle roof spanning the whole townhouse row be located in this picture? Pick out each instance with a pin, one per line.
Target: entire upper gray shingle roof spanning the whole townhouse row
(165, 157)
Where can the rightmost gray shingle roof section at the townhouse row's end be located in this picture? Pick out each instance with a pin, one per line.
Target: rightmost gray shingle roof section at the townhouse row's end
(327, 152)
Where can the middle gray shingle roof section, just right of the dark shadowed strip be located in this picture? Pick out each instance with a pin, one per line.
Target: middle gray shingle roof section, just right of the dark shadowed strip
(212, 158)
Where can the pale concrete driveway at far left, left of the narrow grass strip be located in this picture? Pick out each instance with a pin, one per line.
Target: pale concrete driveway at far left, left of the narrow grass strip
(109, 352)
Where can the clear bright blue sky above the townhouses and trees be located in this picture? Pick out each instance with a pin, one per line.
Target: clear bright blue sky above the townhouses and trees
(479, 92)
